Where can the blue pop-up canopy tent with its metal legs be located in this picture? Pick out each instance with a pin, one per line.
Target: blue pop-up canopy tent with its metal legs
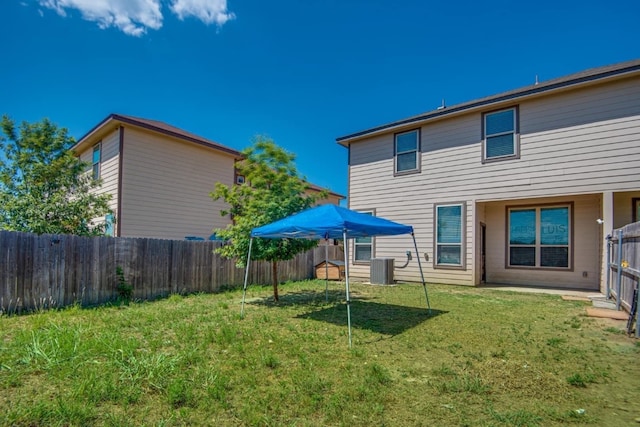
(331, 222)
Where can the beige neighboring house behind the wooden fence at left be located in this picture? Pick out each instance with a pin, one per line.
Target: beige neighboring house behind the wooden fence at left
(160, 177)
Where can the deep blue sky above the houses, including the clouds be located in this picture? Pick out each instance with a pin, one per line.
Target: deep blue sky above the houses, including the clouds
(300, 71)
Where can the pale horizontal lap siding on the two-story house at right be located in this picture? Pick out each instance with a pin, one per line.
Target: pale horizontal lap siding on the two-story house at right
(573, 143)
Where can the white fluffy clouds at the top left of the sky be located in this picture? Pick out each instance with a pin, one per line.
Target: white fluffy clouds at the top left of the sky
(135, 17)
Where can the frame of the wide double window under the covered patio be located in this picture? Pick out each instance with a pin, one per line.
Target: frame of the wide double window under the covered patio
(538, 245)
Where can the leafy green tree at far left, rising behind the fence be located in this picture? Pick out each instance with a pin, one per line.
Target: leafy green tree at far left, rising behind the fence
(43, 186)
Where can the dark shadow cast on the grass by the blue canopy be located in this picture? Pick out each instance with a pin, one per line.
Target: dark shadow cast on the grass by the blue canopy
(387, 319)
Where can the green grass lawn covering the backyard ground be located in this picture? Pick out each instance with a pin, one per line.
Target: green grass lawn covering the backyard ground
(482, 358)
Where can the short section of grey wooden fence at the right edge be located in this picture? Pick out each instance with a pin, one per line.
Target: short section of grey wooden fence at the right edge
(623, 273)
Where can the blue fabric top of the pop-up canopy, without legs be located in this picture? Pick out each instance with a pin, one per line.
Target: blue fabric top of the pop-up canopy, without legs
(330, 222)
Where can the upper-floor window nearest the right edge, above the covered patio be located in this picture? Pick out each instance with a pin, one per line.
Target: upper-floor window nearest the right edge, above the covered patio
(500, 135)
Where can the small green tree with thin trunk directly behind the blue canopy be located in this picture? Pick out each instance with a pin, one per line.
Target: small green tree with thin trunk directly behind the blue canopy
(272, 190)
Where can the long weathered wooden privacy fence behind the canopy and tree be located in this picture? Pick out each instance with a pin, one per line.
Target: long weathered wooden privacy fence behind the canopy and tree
(44, 271)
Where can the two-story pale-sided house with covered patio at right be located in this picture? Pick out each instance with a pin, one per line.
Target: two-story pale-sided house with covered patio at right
(508, 189)
